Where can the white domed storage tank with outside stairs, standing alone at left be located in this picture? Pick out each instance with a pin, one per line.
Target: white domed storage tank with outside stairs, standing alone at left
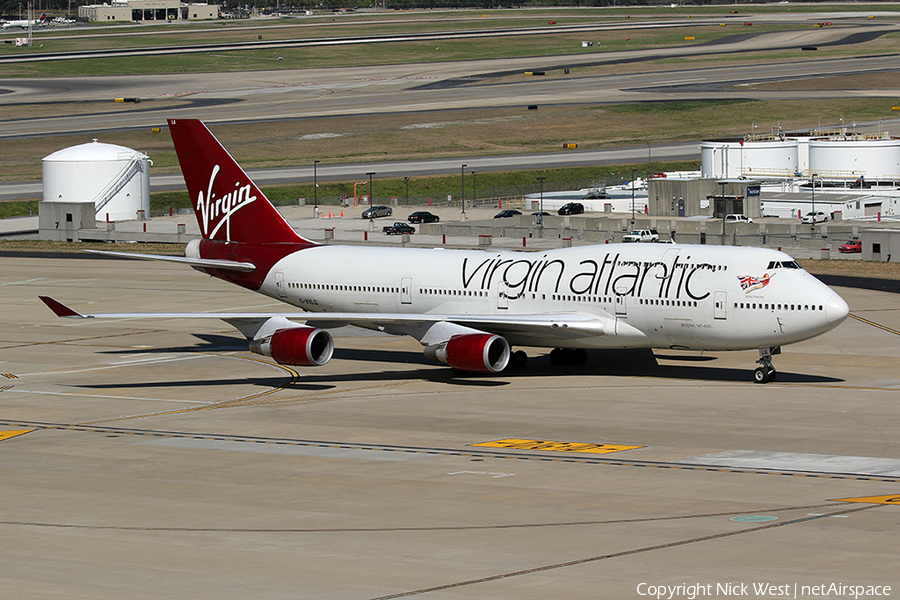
(114, 178)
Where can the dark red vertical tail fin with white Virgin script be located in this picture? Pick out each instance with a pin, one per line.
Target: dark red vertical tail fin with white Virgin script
(228, 205)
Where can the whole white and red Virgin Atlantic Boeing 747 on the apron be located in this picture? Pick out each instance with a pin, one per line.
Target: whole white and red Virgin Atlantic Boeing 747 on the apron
(469, 308)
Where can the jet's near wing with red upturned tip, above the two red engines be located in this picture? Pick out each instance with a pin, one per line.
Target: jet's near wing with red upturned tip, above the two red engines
(559, 326)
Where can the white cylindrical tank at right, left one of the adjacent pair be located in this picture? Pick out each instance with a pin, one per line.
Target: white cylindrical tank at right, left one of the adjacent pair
(730, 159)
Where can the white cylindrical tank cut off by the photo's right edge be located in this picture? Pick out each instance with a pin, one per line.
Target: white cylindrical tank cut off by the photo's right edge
(855, 156)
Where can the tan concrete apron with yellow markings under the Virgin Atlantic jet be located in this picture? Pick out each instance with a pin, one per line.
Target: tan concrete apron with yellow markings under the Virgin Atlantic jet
(163, 460)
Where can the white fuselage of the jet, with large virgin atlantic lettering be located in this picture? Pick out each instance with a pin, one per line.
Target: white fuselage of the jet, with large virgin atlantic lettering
(676, 296)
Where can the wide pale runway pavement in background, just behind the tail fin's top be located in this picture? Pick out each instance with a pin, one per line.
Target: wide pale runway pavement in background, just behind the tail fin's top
(307, 93)
